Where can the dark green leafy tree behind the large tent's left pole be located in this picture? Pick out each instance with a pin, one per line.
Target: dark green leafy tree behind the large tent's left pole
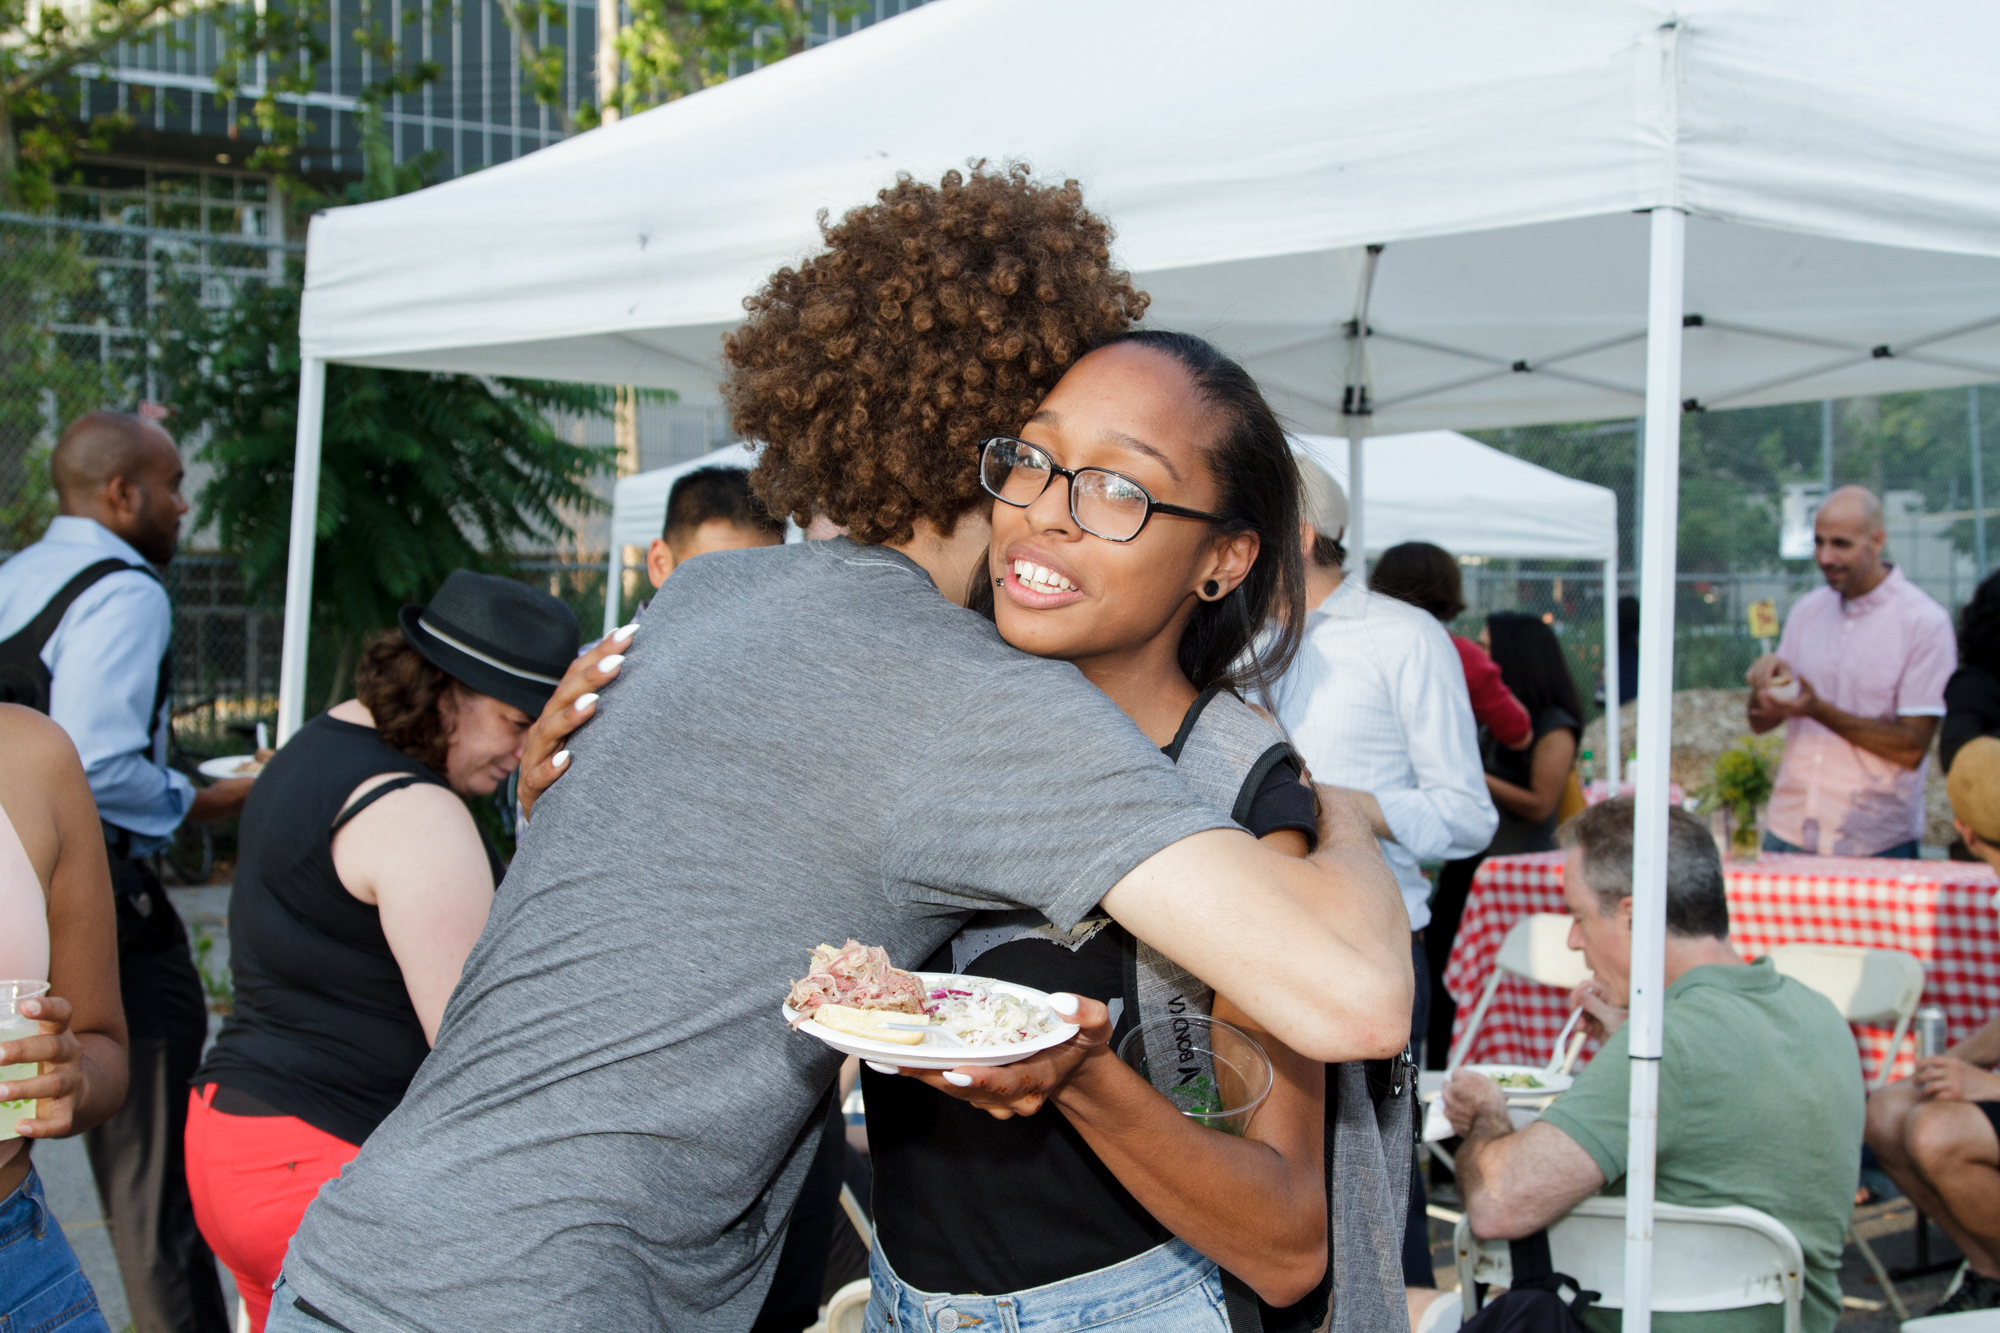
(421, 473)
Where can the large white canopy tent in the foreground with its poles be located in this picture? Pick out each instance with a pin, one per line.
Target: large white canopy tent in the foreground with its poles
(1401, 217)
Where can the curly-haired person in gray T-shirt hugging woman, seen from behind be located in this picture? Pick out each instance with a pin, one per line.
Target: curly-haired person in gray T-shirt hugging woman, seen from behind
(811, 744)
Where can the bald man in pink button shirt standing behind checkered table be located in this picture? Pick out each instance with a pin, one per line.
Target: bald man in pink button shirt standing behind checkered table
(1859, 684)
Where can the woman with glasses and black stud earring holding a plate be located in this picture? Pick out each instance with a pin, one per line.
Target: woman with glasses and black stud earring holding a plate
(1147, 531)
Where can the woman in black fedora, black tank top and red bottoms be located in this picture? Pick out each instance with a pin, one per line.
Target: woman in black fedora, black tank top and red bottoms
(361, 888)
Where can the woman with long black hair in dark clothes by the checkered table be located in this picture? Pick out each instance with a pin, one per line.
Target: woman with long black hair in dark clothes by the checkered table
(1527, 788)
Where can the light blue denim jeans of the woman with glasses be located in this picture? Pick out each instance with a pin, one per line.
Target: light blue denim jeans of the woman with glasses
(1167, 1290)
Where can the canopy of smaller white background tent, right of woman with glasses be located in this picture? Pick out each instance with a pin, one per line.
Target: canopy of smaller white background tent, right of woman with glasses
(1447, 489)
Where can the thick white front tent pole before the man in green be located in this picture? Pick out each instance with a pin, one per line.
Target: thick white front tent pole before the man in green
(1655, 736)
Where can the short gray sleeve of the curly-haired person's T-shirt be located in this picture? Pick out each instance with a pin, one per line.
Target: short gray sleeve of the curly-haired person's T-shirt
(1045, 796)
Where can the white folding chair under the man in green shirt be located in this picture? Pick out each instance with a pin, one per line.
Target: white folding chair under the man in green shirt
(1705, 1260)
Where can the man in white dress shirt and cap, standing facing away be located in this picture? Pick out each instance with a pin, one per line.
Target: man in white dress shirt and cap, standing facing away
(1377, 704)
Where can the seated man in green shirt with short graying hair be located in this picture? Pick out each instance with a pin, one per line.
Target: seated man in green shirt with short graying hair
(1761, 1086)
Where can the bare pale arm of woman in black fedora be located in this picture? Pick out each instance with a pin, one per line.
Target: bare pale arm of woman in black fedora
(419, 860)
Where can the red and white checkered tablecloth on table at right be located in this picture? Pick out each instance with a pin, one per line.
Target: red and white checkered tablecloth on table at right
(1941, 912)
